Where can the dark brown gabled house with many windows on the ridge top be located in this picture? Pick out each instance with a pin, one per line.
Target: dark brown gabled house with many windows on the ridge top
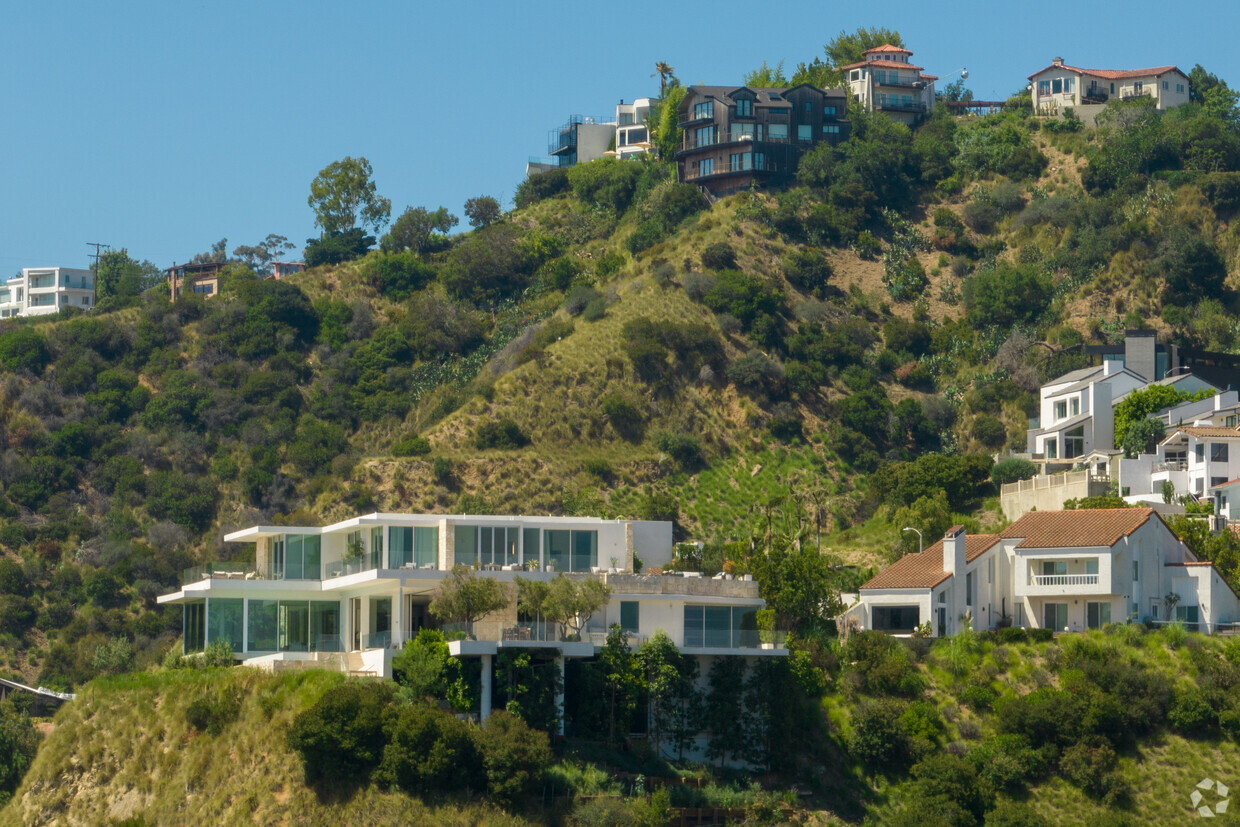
(736, 138)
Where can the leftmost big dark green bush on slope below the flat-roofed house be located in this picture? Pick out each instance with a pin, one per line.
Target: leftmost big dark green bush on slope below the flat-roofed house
(342, 737)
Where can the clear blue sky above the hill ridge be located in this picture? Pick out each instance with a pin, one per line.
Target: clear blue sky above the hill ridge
(164, 127)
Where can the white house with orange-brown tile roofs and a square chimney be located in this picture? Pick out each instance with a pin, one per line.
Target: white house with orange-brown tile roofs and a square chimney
(1066, 571)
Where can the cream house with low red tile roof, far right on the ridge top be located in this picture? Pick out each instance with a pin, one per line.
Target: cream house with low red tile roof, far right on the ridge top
(1061, 86)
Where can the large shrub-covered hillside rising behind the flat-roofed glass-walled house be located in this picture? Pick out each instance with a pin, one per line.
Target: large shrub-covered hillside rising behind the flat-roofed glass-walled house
(835, 359)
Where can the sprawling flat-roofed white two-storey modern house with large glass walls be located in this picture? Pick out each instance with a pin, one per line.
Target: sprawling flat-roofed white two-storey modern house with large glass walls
(349, 596)
